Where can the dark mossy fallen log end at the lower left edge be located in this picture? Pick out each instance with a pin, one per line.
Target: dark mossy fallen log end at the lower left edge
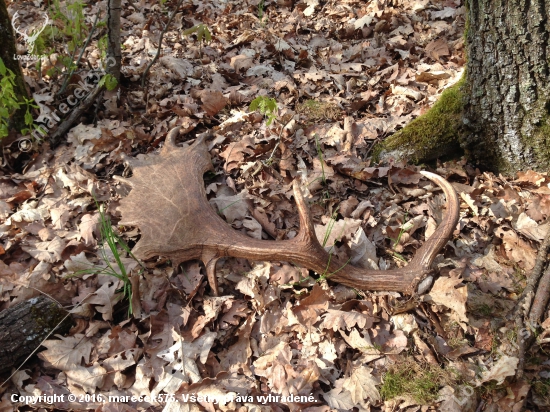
(24, 327)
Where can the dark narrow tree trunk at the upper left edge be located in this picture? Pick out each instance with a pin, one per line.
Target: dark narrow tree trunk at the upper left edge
(7, 53)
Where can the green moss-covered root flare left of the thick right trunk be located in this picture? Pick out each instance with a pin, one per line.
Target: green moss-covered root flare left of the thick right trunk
(432, 135)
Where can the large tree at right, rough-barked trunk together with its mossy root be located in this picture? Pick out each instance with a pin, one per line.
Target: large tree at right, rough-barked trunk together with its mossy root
(499, 114)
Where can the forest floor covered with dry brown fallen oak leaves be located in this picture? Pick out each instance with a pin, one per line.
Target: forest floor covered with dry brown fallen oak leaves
(344, 75)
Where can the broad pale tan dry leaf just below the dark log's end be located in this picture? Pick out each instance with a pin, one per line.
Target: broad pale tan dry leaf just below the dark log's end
(67, 353)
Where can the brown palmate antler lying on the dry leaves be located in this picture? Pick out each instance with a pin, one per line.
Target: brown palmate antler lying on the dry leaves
(168, 203)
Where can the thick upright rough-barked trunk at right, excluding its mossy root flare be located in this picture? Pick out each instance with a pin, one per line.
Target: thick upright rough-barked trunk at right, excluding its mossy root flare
(507, 106)
